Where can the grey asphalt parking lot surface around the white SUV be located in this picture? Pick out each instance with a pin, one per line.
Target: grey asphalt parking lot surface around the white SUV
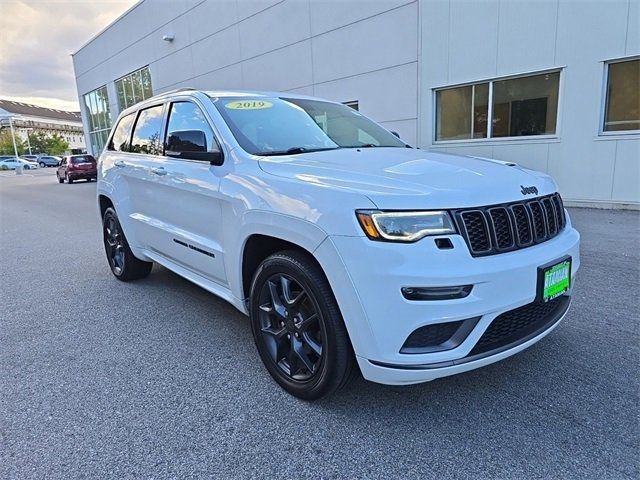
(160, 379)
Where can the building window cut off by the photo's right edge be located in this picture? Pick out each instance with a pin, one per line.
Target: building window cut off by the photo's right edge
(622, 108)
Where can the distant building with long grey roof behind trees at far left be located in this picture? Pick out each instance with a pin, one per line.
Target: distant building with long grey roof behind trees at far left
(48, 121)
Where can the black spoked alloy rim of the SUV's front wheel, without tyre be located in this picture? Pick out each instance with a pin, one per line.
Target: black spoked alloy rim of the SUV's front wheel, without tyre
(291, 327)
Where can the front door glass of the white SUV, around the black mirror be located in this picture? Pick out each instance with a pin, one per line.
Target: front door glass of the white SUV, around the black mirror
(187, 117)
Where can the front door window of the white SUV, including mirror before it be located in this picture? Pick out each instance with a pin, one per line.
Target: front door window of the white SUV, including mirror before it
(188, 131)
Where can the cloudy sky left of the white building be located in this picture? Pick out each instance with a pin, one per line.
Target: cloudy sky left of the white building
(37, 38)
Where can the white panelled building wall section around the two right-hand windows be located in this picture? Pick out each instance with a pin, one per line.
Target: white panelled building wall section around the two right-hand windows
(464, 41)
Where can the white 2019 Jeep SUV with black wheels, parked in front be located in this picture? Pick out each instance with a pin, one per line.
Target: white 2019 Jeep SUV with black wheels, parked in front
(342, 243)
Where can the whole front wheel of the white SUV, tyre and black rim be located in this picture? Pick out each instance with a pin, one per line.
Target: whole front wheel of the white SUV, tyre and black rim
(298, 328)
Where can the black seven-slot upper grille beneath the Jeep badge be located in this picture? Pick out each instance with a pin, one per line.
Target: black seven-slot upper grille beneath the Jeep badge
(501, 228)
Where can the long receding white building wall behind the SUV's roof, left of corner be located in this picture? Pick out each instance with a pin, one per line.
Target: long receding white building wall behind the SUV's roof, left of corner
(343, 51)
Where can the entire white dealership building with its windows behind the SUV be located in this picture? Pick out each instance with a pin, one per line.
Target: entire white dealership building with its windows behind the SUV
(550, 84)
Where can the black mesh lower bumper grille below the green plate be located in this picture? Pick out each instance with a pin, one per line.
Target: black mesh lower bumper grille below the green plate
(514, 325)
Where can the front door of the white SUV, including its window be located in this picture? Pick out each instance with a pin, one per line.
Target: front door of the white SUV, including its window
(183, 202)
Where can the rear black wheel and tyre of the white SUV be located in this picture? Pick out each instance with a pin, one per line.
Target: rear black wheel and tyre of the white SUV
(124, 265)
